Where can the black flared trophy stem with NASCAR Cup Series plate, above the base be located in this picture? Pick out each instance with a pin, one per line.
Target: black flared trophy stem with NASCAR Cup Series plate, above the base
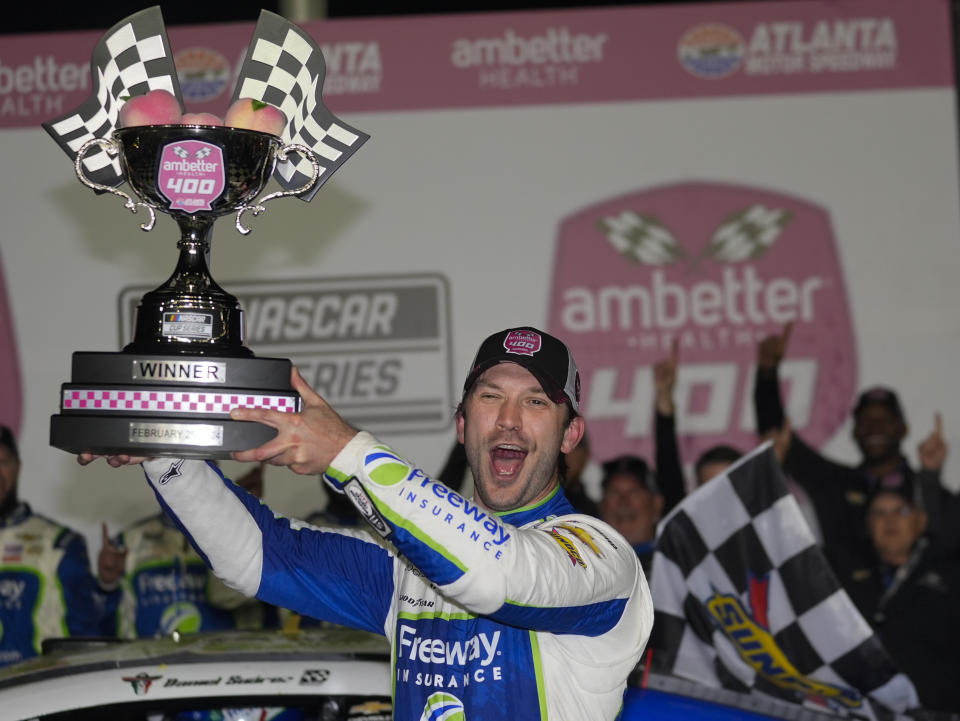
(190, 313)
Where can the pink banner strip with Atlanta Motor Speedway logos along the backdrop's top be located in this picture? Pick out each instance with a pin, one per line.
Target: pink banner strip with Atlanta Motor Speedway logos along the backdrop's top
(569, 56)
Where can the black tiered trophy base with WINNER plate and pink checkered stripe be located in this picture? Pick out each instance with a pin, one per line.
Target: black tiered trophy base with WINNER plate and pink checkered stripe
(168, 405)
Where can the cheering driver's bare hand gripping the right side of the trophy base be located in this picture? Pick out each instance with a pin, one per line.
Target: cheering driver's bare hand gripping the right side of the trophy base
(306, 442)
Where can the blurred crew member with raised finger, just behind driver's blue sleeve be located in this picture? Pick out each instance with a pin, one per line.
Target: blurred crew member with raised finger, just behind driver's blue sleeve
(154, 583)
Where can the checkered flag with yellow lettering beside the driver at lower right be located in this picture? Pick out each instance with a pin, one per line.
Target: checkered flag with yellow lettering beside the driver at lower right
(745, 599)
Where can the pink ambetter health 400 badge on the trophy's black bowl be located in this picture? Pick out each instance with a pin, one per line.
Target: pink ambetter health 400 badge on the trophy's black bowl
(191, 174)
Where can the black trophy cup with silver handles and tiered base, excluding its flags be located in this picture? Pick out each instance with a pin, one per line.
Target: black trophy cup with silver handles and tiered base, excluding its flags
(170, 390)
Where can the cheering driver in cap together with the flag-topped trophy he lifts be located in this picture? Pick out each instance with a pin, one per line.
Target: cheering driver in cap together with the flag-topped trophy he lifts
(505, 605)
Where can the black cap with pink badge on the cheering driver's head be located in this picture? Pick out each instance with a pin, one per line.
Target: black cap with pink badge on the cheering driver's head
(546, 357)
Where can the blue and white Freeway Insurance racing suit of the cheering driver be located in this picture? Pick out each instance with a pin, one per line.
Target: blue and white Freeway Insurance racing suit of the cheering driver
(534, 613)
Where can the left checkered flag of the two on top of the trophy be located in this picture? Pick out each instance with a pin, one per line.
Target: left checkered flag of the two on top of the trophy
(132, 58)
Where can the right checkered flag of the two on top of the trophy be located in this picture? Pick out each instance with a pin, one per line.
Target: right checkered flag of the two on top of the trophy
(285, 67)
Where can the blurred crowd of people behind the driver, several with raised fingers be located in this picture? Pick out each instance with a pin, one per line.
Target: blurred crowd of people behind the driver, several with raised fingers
(889, 530)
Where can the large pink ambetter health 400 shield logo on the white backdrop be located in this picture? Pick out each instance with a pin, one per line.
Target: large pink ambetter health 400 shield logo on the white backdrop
(713, 268)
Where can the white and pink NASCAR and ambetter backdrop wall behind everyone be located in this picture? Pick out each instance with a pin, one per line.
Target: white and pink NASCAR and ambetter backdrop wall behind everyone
(621, 177)
